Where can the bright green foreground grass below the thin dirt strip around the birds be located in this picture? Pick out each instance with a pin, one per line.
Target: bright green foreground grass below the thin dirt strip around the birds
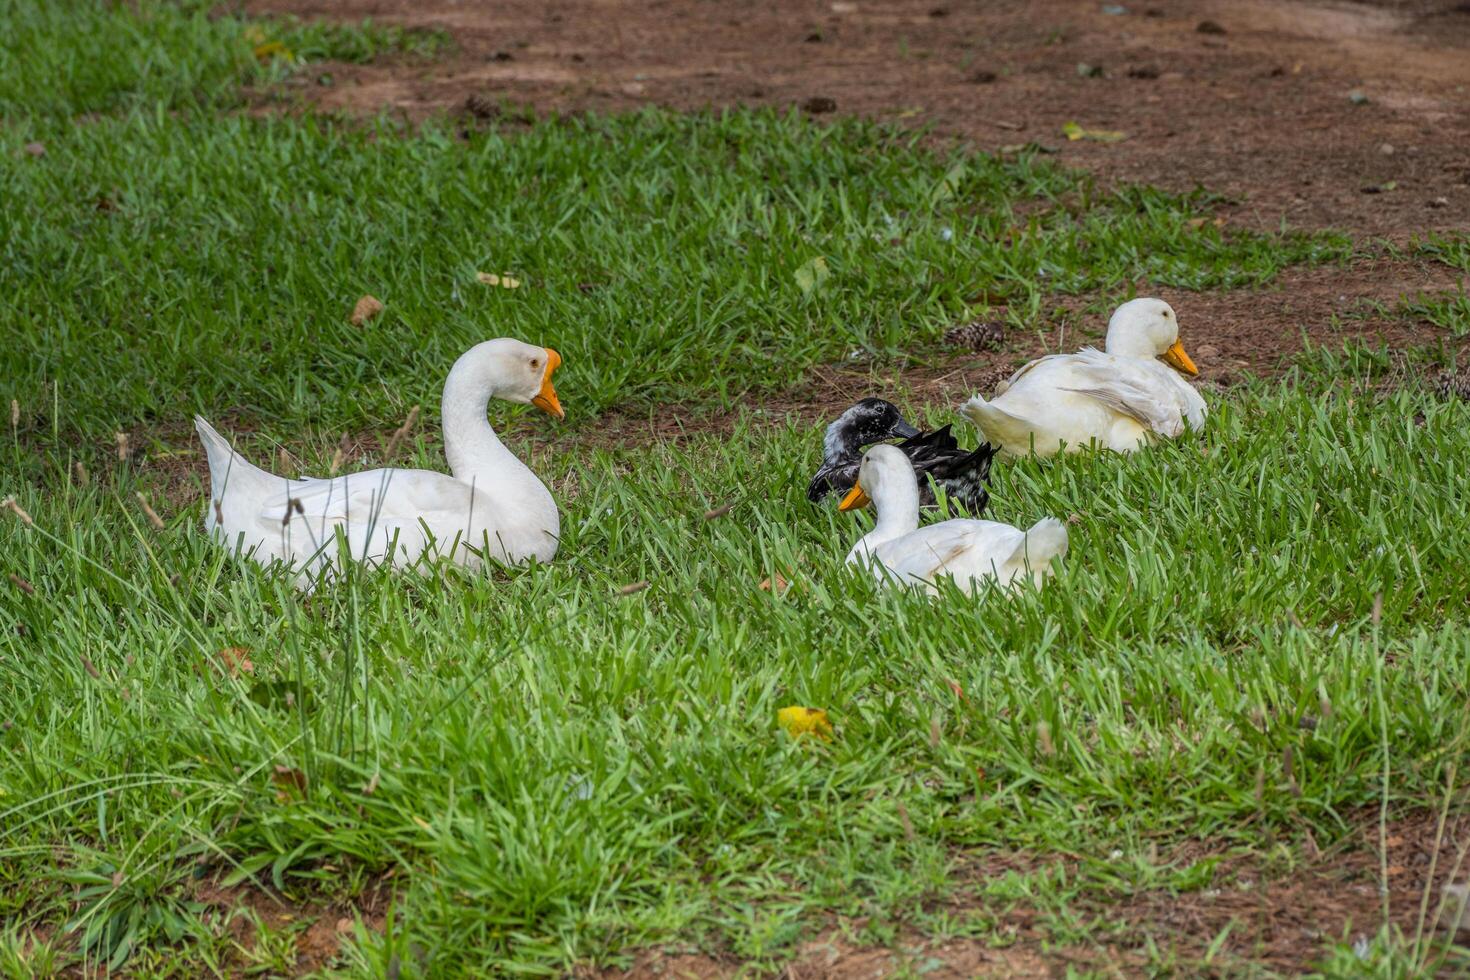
(562, 772)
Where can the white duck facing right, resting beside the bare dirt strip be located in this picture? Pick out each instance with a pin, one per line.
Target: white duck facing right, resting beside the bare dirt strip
(1118, 400)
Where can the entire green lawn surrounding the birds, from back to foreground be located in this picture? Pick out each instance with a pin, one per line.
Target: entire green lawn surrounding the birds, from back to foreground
(1256, 647)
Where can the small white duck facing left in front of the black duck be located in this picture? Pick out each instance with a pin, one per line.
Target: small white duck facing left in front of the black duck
(971, 552)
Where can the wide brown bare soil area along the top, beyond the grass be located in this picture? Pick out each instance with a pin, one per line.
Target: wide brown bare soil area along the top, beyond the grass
(1261, 107)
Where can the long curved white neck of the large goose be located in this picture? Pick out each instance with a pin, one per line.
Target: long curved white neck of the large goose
(474, 452)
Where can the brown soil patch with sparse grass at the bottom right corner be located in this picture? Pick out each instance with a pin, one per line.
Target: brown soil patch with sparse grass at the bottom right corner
(1277, 920)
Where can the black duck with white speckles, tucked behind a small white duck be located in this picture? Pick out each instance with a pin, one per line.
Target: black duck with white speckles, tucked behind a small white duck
(962, 474)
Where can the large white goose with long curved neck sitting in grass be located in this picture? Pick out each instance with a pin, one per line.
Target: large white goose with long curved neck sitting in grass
(492, 508)
